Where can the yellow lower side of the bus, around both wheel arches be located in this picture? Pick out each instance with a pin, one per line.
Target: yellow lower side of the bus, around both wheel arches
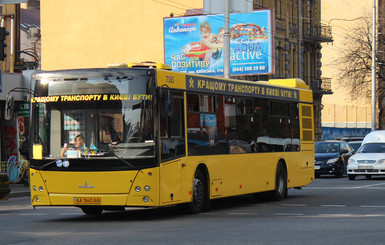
(231, 175)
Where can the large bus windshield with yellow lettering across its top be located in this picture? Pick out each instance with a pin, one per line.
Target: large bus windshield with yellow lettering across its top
(112, 111)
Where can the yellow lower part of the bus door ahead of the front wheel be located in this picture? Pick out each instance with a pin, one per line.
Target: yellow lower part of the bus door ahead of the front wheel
(171, 181)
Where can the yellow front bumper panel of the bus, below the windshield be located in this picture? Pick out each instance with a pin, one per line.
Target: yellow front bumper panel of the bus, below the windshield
(116, 188)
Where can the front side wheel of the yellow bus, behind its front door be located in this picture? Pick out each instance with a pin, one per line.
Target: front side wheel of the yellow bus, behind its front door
(199, 193)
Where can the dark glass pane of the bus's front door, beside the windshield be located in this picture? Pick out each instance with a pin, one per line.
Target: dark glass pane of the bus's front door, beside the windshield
(172, 130)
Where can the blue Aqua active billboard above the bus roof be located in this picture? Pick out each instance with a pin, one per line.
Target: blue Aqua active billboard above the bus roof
(194, 44)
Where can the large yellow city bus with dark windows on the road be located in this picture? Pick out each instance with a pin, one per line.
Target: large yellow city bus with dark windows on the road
(119, 137)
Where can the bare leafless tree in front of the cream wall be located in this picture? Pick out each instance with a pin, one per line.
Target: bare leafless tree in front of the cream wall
(355, 62)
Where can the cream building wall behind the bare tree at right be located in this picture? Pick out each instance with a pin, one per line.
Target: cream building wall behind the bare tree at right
(344, 113)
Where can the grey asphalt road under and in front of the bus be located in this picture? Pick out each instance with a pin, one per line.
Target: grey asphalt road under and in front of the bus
(328, 211)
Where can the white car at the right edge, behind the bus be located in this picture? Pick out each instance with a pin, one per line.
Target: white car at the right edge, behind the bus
(370, 158)
